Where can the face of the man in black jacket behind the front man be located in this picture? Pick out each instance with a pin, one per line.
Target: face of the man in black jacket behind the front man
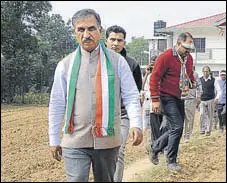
(115, 41)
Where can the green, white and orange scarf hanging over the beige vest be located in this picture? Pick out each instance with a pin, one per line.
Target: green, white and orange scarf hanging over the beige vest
(105, 94)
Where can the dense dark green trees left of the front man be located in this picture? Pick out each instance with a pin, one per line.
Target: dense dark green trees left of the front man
(32, 43)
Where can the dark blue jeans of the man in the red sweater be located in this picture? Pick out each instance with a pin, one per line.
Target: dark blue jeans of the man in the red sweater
(173, 109)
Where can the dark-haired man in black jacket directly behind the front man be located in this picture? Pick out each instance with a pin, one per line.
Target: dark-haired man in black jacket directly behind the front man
(115, 40)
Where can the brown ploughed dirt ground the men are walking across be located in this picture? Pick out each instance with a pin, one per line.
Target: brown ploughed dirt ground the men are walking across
(25, 156)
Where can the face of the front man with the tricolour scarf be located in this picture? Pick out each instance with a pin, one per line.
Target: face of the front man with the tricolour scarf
(87, 32)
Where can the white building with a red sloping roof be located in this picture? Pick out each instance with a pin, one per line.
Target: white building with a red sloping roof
(209, 35)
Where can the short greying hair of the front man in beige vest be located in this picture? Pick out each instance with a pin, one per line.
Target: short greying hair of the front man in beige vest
(86, 13)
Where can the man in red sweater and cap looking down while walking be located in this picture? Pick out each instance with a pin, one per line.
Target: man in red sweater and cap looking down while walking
(169, 84)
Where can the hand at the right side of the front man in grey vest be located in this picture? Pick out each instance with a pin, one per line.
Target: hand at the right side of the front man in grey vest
(135, 136)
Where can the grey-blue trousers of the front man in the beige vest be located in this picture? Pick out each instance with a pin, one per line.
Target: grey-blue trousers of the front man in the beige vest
(78, 161)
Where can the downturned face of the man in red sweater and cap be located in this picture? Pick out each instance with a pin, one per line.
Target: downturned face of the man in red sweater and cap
(184, 47)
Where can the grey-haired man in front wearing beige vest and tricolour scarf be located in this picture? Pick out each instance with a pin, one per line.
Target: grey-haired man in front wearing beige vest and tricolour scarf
(81, 144)
